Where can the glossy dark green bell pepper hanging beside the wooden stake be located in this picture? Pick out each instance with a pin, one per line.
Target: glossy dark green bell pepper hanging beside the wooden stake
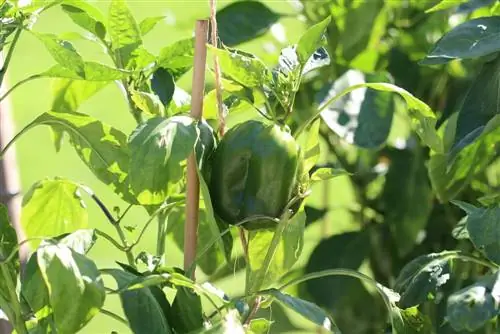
(256, 170)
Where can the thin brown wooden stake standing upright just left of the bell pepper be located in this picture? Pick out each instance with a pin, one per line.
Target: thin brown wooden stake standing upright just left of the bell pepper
(193, 184)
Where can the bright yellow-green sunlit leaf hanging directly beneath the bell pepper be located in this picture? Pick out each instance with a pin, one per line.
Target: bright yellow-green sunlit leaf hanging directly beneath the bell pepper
(273, 252)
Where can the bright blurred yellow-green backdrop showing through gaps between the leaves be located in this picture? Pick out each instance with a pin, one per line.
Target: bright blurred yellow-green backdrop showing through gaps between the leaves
(37, 158)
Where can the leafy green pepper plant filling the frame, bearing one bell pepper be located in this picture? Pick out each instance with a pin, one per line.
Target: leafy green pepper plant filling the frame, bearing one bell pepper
(333, 106)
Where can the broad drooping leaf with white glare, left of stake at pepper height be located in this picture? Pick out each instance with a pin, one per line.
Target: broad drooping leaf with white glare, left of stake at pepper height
(159, 148)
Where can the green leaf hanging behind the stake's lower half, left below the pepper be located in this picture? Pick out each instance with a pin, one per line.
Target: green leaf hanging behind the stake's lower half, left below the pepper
(209, 230)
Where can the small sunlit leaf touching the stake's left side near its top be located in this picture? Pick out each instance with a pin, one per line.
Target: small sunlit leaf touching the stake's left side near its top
(177, 58)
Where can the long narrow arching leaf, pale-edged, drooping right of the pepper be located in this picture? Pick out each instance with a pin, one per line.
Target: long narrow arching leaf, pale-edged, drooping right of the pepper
(422, 116)
